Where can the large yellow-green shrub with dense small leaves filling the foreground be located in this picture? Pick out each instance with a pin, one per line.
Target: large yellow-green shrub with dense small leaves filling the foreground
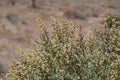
(65, 54)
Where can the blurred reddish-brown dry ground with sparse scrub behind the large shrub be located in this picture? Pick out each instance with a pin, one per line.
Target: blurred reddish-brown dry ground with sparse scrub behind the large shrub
(19, 20)
